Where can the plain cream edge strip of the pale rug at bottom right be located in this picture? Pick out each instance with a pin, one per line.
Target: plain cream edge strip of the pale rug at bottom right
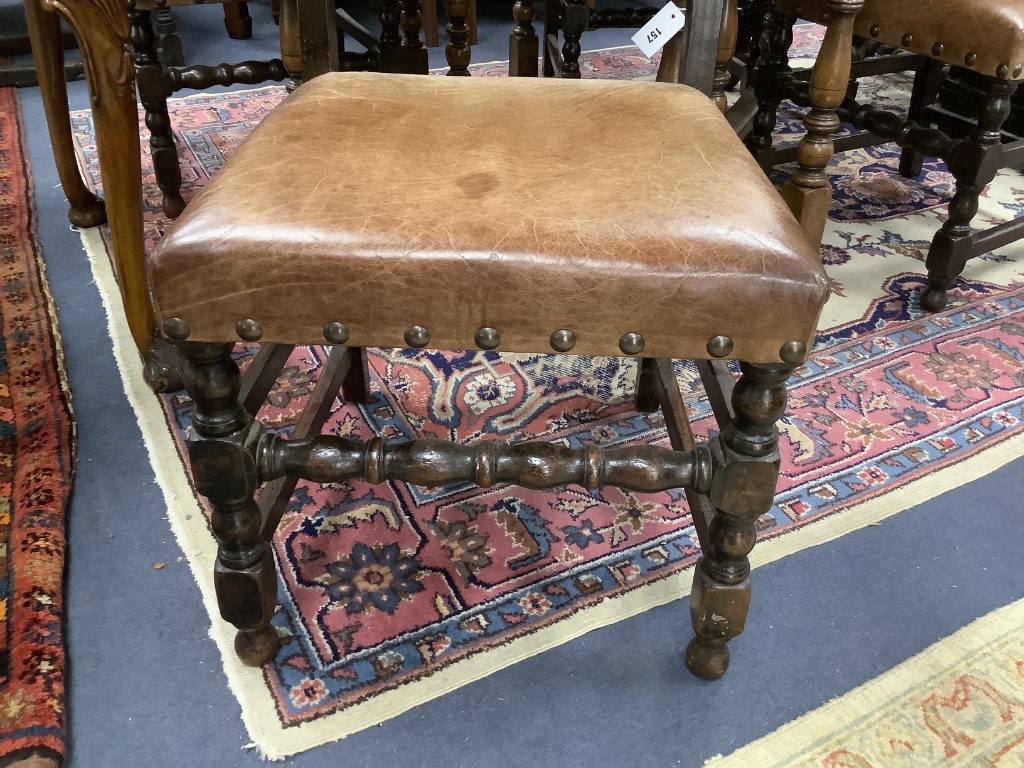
(819, 729)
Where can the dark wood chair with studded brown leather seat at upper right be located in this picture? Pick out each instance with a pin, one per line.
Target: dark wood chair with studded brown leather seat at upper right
(984, 36)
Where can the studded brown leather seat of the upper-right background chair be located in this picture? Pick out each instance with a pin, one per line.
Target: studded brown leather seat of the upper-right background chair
(992, 30)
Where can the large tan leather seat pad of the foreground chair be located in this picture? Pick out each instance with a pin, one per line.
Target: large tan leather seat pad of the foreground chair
(530, 206)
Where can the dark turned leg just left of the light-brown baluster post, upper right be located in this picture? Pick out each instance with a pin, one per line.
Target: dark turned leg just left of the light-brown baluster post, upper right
(773, 71)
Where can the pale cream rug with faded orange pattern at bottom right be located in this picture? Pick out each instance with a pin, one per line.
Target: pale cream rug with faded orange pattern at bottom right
(958, 704)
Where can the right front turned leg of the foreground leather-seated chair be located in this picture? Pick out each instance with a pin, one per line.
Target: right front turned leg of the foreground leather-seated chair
(747, 462)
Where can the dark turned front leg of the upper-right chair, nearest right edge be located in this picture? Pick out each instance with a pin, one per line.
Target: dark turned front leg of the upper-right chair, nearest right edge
(952, 246)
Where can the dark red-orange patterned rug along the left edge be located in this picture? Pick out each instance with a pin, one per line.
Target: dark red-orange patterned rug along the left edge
(37, 453)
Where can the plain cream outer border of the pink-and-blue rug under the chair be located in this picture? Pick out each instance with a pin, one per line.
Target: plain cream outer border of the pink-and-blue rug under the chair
(259, 712)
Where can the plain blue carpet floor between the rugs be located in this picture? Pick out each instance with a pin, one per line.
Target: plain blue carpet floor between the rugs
(147, 687)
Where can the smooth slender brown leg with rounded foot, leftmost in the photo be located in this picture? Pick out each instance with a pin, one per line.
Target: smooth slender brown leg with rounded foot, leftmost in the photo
(45, 32)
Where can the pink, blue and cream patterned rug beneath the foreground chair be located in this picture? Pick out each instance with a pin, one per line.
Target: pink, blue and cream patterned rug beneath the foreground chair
(393, 595)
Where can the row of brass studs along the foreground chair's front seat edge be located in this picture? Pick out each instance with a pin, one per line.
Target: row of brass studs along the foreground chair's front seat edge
(488, 338)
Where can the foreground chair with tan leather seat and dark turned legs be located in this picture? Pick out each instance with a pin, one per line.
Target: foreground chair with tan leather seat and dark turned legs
(331, 225)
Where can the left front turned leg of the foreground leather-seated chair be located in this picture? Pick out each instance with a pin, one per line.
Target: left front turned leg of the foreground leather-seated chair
(222, 452)
